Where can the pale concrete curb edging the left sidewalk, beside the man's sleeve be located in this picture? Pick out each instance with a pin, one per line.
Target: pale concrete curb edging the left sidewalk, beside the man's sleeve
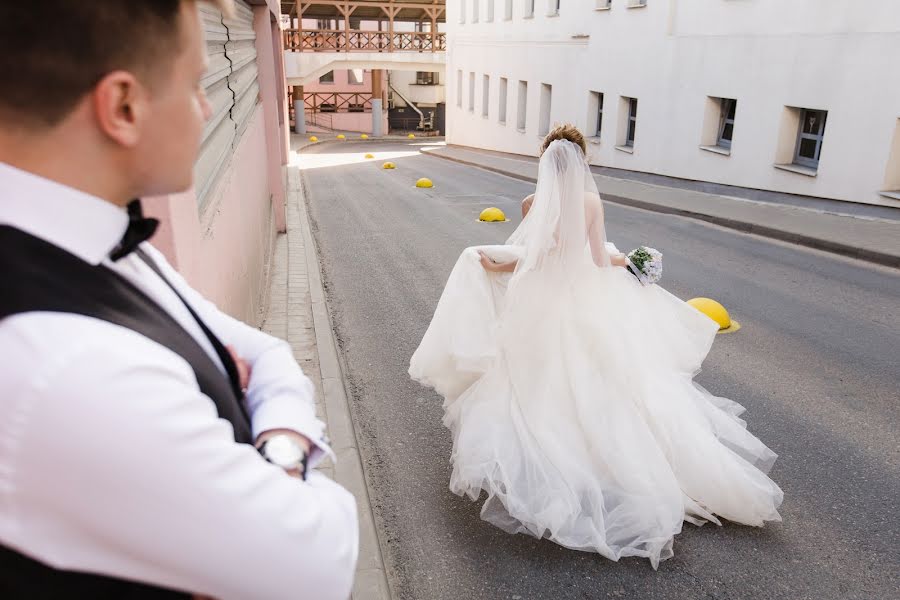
(371, 579)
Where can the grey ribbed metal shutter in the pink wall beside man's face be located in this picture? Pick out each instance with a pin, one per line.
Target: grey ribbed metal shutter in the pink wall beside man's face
(232, 87)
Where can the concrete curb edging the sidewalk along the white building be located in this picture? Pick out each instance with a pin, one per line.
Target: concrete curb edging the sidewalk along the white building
(885, 259)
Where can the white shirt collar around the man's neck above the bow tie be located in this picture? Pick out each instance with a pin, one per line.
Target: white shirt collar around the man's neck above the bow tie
(75, 221)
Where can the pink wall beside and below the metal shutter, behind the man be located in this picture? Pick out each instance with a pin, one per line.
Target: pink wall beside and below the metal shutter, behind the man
(225, 252)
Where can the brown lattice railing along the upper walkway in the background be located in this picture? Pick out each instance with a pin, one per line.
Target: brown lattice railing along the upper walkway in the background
(325, 40)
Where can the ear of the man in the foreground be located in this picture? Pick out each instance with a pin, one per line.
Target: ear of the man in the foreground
(120, 106)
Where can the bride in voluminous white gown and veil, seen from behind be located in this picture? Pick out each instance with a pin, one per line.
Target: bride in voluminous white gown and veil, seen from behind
(569, 390)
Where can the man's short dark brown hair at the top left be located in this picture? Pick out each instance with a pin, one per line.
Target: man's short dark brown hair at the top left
(53, 52)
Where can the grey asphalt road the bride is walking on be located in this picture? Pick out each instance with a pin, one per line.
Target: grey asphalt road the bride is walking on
(817, 364)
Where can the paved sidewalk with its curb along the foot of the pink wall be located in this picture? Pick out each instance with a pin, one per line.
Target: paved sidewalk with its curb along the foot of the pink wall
(297, 313)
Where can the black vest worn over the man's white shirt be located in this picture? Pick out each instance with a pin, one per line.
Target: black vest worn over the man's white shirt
(39, 276)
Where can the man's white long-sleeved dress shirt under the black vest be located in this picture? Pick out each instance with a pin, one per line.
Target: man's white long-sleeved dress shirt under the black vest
(113, 461)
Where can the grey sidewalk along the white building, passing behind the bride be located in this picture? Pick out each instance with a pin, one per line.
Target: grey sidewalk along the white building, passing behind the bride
(867, 238)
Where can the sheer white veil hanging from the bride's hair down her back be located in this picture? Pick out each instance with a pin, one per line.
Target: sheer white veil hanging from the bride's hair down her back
(566, 216)
